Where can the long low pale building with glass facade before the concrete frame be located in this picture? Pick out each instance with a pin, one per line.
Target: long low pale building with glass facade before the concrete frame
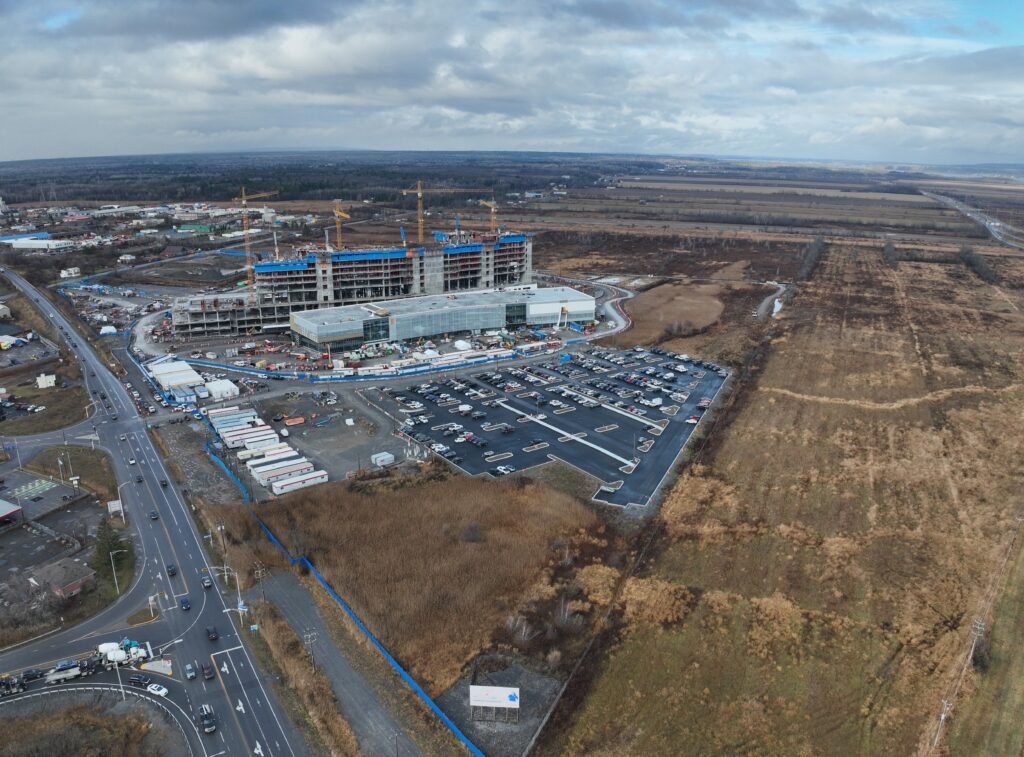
(413, 318)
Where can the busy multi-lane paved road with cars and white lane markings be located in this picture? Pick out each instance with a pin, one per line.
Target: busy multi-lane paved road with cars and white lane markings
(250, 721)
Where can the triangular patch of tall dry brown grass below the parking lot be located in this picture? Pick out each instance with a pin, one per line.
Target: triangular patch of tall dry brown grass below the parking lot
(435, 571)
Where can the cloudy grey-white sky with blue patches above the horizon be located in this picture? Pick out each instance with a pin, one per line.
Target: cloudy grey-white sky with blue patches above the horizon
(931, 81)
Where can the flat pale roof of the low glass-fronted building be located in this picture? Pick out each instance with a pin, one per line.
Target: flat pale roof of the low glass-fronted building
(431, 304)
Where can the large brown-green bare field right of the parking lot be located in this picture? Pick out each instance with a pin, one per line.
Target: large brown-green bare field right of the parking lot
(840, 536)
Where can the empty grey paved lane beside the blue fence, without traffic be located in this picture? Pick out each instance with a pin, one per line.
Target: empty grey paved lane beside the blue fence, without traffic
(376, 731)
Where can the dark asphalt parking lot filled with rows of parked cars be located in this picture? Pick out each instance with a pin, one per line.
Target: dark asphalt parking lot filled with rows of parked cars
(621, 416)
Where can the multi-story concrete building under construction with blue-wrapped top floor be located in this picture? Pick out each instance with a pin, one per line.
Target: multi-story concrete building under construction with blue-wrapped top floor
(350, 277)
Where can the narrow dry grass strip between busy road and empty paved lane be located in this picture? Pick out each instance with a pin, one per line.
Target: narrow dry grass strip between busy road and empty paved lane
(311, 685)
